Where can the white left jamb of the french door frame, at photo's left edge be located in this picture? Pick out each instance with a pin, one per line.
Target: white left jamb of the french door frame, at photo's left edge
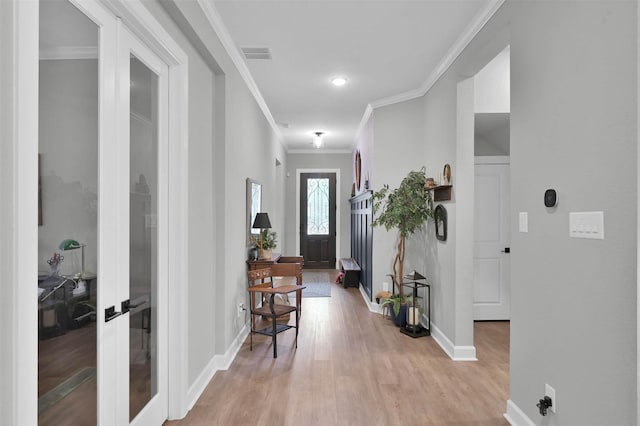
(19, 369)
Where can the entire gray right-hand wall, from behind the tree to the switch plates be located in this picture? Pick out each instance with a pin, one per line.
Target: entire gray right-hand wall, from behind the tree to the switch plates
(573, 128)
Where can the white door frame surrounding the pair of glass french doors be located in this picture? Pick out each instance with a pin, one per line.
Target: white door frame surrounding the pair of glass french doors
(21, 266)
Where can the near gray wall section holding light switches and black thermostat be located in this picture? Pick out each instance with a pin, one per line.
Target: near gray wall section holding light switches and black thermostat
(574, 95)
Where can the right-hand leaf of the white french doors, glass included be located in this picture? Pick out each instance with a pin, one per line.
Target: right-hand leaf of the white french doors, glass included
(143, 125)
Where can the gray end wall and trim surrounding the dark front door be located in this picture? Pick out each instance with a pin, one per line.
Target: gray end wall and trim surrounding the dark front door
(319, 161)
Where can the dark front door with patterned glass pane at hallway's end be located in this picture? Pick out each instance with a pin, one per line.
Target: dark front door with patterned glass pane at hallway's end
(318, 220)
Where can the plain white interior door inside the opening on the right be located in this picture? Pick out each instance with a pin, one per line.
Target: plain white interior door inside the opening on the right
(491, 265)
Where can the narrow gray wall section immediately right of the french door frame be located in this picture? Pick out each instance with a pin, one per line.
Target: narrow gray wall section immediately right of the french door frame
(201, 217)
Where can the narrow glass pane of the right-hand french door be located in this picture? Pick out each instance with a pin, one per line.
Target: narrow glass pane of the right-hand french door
(143, 236)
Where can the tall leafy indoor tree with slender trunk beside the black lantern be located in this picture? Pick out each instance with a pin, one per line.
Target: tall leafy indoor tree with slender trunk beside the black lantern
(406, 209)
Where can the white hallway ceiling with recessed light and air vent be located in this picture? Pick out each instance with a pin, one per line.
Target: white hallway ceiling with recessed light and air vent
(384, 48)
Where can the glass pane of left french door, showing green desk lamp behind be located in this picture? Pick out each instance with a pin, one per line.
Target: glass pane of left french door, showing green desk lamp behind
(68, 204)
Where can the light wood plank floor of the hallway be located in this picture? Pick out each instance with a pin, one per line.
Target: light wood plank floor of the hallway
(353, 367)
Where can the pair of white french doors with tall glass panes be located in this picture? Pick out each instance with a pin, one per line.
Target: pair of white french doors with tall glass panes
(106, 139)
